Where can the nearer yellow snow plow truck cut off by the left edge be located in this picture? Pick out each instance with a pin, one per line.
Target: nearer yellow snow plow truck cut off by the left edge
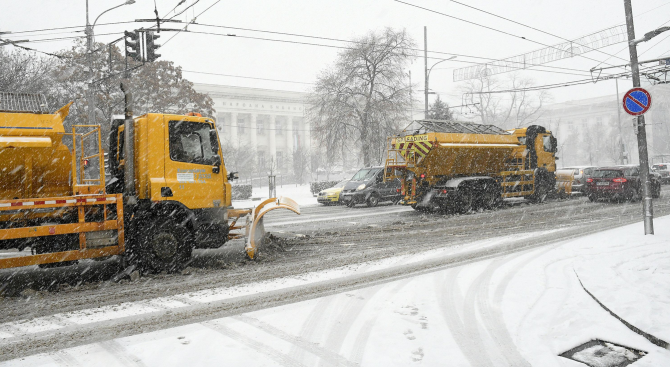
(165, 193)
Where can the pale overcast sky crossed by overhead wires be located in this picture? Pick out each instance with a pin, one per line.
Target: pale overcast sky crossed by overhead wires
(346, 19)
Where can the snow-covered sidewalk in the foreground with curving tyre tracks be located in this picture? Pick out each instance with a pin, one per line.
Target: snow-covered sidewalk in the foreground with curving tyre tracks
(521, 309)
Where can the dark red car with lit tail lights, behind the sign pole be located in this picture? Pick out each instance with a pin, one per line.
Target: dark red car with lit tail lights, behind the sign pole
(619, 183)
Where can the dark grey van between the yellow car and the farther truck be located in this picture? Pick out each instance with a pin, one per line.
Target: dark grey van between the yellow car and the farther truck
(368, 186)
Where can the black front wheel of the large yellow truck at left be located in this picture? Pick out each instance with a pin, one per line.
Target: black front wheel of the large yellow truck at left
(162, 245)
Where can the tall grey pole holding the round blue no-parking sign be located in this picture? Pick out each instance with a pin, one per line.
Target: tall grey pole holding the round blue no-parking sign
(647, 207)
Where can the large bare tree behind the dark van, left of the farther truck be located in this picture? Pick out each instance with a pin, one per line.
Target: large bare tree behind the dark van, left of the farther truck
(364, 97)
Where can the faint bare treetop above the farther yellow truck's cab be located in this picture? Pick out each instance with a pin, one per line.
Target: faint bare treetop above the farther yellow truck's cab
(516, 108)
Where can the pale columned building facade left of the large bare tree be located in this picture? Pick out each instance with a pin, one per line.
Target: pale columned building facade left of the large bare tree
(270, 123)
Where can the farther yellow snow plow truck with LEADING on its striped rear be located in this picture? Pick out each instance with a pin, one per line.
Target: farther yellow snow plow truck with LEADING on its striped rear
(458, 166)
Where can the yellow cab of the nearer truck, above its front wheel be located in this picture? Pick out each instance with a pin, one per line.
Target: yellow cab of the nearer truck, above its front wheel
(179, 172)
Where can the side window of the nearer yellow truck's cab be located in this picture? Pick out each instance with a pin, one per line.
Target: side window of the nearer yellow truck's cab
(190, 142)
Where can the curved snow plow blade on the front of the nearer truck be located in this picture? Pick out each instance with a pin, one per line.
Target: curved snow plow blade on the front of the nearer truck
(255, 231)
